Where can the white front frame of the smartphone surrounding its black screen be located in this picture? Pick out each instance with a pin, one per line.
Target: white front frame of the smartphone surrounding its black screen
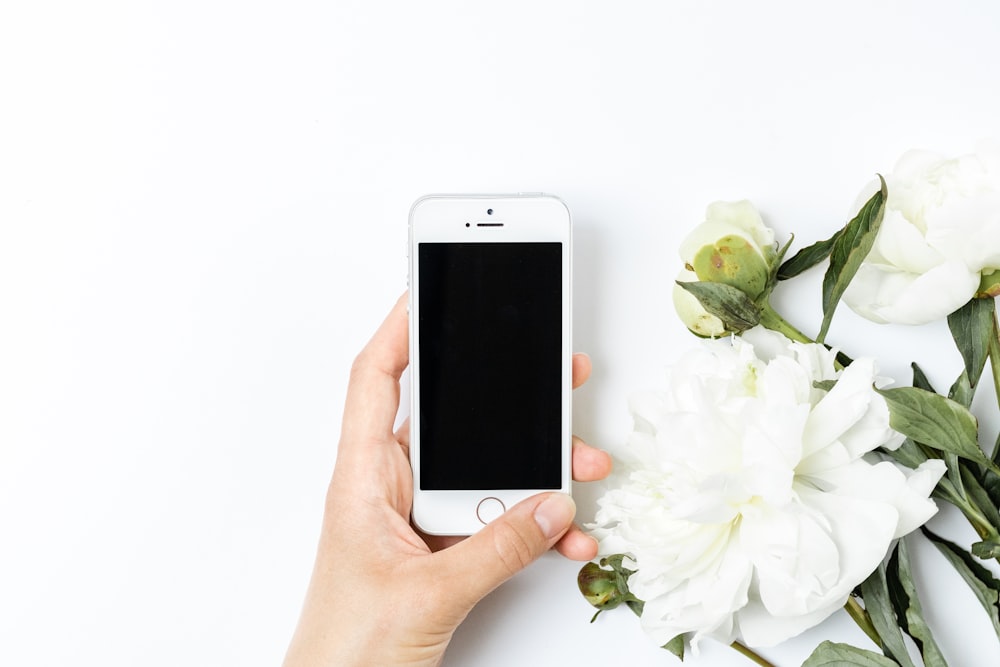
(464, 218)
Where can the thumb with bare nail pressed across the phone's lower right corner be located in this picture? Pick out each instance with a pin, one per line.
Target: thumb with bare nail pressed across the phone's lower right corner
(507, 545)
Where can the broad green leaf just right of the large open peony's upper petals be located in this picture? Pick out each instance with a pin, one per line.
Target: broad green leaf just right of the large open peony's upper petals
(934, 420)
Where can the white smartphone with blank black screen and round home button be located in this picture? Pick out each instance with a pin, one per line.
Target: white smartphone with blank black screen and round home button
(490, 355)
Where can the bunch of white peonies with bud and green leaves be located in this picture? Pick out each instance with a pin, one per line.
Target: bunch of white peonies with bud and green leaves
(777, 479)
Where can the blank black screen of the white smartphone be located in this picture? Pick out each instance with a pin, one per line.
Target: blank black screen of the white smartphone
(490, 347)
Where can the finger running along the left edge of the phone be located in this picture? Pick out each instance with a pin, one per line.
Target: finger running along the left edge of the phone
(373, 392)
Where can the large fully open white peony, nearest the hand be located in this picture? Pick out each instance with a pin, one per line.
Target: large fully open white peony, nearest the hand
(747, 502)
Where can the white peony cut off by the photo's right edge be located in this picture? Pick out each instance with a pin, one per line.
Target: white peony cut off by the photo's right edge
(939, 238)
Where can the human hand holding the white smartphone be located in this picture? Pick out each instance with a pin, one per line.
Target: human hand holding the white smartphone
(381, 592)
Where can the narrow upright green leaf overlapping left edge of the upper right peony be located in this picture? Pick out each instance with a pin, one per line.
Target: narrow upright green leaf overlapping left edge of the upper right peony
(850, 248)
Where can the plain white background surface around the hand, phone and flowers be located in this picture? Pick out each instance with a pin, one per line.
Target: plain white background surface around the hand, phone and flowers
(203, 217)
